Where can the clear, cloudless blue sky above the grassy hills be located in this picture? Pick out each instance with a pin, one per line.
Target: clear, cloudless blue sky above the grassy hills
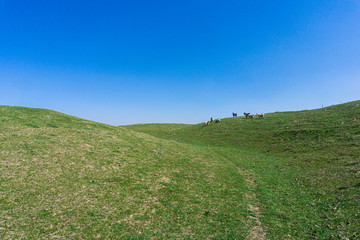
(127, 62)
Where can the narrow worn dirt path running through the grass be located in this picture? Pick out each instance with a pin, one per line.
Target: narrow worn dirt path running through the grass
(256, 229)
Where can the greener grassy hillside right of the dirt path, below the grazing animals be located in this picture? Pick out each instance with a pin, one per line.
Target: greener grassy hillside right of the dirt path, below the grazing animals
(309, 165)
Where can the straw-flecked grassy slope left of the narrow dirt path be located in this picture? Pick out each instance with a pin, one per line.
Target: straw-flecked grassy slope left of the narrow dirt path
(63, 177)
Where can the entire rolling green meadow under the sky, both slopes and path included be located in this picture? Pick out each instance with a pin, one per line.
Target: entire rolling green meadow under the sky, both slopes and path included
(290, 175)
